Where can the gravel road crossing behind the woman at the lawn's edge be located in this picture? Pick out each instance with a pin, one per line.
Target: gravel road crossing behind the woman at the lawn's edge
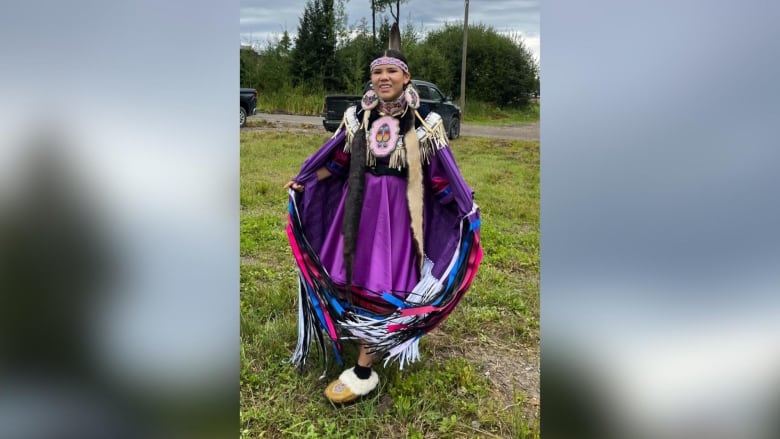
(529, 131)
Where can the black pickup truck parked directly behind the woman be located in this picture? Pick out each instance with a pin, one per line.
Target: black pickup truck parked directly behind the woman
(430, 96)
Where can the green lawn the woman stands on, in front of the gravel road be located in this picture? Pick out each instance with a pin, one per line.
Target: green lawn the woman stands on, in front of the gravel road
(466, 384)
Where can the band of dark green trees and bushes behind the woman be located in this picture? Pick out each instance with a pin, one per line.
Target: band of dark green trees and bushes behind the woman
(327, 57)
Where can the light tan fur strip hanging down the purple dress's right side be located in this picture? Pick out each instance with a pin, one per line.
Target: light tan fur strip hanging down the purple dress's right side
(414, 188)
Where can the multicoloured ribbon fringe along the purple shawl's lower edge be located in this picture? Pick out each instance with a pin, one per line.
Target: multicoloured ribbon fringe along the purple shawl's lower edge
(323, 309)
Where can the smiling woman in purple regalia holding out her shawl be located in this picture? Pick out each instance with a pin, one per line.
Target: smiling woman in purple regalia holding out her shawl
(383, 228)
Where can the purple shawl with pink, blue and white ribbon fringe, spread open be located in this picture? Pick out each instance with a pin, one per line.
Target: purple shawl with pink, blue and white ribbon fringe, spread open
(451, 259)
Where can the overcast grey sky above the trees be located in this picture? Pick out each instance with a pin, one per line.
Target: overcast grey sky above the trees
(264, 19)
